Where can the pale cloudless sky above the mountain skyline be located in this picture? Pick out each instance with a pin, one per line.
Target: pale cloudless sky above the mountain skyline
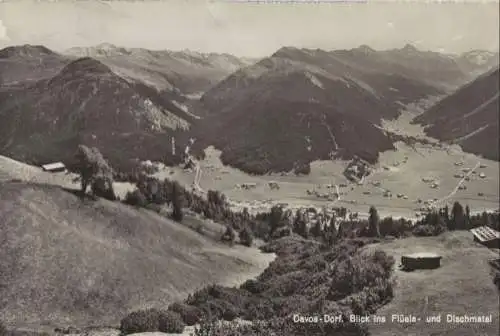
(249, 29)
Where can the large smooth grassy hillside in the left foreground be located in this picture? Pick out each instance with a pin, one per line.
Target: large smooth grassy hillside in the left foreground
(83, 262)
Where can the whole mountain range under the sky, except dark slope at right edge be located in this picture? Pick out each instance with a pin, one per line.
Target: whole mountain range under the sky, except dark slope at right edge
(272, 114)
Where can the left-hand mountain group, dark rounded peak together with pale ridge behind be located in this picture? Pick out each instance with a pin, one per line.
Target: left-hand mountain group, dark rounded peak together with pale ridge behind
(50, 101)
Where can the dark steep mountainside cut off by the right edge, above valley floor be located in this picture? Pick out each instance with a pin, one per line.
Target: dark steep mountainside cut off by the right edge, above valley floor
(468, 117)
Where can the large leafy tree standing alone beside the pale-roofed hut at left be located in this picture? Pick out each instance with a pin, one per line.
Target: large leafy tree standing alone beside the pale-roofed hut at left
(95, 171)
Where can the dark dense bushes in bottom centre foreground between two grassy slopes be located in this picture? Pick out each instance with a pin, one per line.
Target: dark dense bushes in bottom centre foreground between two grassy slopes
(307, 277)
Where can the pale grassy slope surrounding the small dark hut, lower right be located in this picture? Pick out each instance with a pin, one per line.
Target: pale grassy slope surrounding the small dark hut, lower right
(463, 285)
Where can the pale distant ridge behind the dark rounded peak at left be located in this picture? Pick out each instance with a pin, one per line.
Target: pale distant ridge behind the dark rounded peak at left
(190, 72)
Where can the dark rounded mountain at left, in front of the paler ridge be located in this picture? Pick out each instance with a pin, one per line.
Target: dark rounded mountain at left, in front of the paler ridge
(88, 103)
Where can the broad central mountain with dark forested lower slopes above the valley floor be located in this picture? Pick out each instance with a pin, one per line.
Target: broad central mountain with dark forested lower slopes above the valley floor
(301, 105)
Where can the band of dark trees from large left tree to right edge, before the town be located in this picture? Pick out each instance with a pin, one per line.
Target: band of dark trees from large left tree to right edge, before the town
(277, 222)
